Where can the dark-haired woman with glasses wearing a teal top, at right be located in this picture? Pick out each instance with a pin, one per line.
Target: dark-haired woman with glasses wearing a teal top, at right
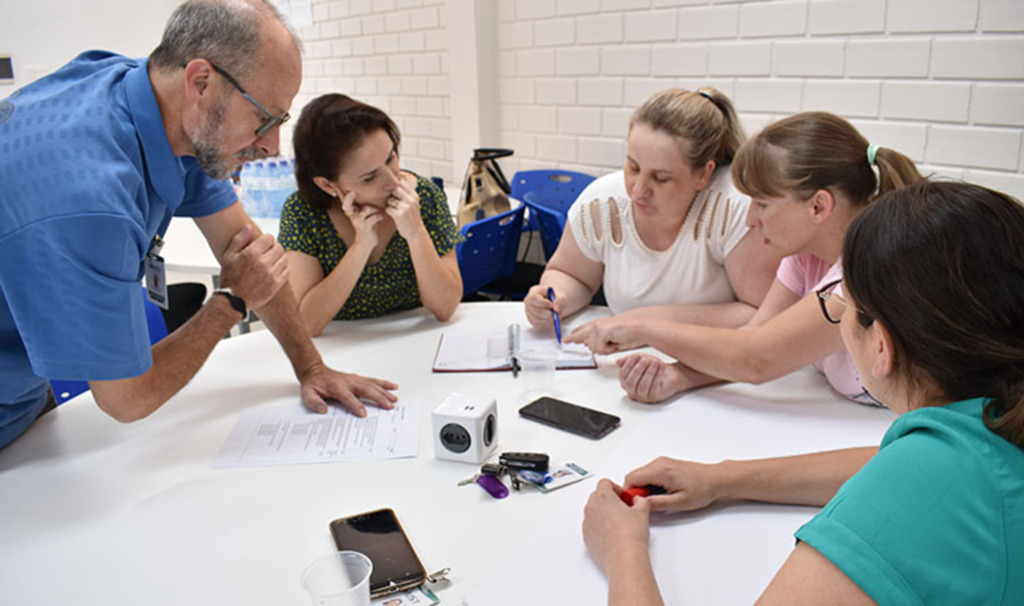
(933, 317)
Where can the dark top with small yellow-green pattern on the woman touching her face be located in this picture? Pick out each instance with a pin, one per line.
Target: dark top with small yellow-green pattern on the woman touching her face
(388, 286)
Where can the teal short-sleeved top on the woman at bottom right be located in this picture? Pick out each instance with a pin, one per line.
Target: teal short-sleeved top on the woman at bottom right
(936, 517)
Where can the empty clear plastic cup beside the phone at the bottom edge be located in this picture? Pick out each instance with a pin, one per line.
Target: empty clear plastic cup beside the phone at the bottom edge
(339, 580)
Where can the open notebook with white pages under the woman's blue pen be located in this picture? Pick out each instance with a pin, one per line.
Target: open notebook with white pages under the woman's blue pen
(467, 353)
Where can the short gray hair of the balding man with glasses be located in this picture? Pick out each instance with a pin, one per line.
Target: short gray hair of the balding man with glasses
(225, 32)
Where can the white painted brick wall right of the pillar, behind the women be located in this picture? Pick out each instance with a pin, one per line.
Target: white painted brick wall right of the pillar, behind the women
(941, 80)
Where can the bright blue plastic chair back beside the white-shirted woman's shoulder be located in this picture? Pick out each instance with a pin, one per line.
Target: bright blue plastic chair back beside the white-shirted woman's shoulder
(549, 194)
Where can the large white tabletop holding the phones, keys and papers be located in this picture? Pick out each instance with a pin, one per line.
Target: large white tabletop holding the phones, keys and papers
(96, 512)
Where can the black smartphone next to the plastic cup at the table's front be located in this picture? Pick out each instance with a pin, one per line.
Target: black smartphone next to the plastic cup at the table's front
(380, 537)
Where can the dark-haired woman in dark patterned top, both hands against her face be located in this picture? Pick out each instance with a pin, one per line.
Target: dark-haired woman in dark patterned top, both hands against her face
(364, 238)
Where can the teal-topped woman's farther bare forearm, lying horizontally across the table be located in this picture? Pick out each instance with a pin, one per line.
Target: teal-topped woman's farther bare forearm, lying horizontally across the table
(803, 480)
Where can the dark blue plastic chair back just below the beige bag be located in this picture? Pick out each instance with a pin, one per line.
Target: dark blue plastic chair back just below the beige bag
(490, 250)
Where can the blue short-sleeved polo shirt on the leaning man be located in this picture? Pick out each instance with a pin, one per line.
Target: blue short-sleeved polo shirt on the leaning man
(88, 179)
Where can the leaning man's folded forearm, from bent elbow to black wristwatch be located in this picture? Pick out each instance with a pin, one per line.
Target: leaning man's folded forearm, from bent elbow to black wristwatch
(177, 359)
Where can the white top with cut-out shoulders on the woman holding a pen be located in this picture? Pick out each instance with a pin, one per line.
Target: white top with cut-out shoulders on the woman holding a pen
(691, 272)
